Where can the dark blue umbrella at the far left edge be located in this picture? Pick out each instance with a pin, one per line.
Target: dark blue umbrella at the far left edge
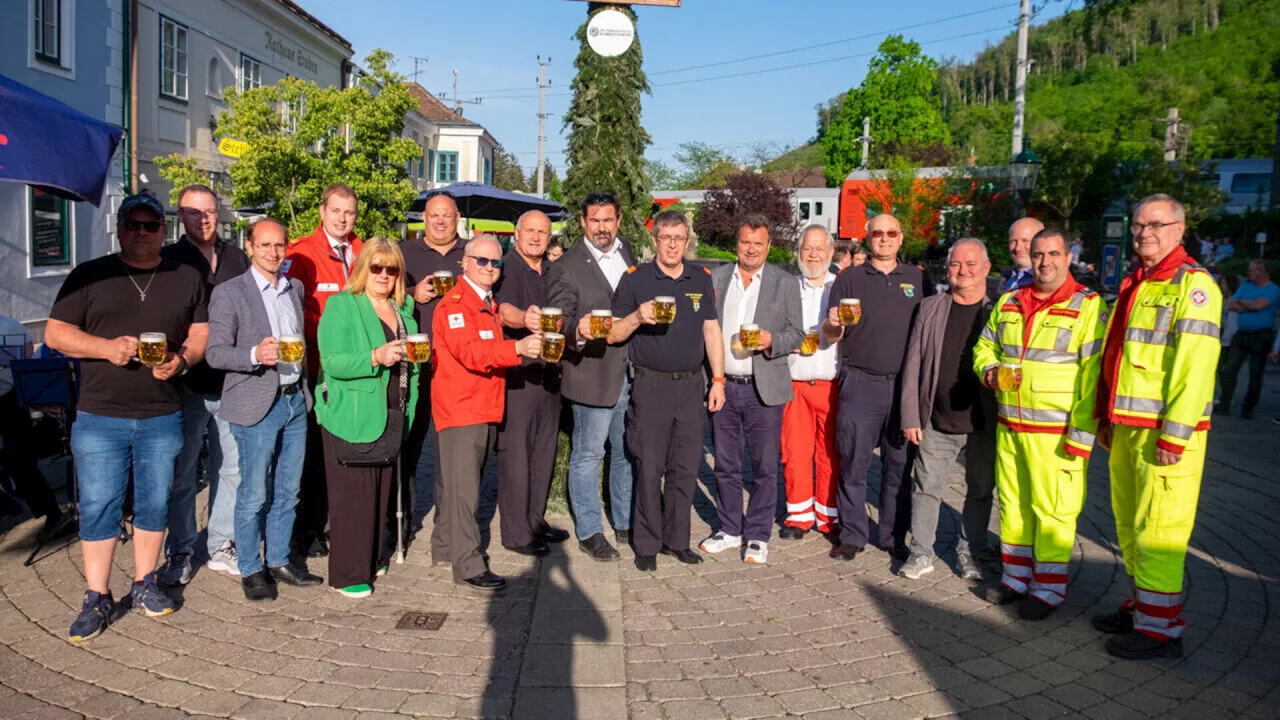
(49, 145)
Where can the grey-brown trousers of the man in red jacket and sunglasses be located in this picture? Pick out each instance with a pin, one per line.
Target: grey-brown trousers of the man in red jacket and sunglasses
(456, 536)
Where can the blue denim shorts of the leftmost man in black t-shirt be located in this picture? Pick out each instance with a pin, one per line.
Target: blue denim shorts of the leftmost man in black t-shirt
(106, 450)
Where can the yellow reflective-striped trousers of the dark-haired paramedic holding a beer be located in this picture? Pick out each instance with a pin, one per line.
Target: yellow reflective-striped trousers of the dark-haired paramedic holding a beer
(1041, 495)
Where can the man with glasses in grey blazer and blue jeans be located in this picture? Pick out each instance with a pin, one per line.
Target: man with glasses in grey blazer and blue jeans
(266, 400)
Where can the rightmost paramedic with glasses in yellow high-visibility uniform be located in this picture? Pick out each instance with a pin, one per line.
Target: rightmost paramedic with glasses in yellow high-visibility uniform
(1155, 399)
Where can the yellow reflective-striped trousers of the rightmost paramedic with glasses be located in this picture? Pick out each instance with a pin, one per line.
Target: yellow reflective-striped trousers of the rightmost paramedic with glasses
(1155, 509)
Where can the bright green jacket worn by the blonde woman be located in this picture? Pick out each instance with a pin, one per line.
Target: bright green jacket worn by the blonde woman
(355, 408)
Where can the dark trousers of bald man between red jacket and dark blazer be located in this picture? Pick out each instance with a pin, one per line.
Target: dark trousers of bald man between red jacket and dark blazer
(527, 458)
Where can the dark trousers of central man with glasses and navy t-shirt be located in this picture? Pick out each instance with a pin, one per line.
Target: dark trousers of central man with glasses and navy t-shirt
(666, 423)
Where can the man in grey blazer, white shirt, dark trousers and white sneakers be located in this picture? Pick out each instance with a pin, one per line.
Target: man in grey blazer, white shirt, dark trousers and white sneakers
(758, 385)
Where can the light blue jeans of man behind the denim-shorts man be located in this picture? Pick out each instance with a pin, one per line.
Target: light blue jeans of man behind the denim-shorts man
(200, 414)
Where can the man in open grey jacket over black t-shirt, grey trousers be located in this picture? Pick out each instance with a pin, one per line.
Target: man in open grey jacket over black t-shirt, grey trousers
(947, 409)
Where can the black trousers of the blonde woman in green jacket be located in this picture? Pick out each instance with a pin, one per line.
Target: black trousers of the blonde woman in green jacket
(358, 511)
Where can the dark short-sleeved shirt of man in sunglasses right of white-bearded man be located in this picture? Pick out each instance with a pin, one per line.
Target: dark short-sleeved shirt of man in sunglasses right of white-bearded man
(879, 343)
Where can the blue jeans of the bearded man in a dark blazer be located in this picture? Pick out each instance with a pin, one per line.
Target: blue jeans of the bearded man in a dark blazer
(592, 427)
